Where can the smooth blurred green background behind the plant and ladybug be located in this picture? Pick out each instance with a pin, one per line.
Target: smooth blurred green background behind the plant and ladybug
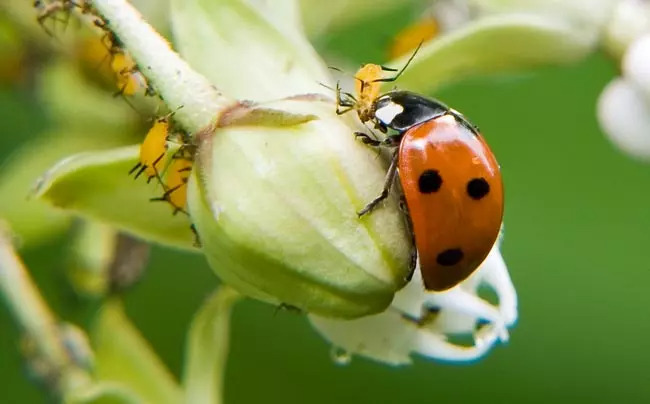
(577, 232)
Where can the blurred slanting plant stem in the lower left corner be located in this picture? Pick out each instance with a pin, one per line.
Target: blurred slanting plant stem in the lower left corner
(35, 318)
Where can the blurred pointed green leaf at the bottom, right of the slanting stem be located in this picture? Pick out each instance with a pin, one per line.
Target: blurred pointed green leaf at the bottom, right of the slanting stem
(124, 357)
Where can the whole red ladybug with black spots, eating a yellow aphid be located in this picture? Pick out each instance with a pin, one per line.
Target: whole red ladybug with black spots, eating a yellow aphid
(450, 178)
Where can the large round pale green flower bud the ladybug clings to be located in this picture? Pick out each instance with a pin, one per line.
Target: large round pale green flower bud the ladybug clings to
(274, 203)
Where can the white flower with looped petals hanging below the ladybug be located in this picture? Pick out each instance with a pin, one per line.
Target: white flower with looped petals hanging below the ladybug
(421, 322)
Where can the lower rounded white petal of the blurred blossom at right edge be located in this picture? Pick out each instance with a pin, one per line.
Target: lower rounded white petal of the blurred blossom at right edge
(624, 115)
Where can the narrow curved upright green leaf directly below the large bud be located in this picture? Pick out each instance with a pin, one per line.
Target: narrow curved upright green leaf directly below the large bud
(207, 348)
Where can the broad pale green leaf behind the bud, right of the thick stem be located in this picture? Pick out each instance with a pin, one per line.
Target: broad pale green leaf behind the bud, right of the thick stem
(245, 52)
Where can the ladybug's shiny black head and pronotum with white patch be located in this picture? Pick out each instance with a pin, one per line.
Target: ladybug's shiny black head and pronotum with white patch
(401, 110)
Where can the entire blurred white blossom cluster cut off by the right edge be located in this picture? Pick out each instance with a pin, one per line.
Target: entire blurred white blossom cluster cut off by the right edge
(624, 105)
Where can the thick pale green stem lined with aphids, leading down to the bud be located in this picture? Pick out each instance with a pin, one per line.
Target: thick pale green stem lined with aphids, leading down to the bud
(172, 78)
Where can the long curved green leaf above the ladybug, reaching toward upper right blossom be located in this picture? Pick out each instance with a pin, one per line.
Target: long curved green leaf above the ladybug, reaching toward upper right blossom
(496, 44)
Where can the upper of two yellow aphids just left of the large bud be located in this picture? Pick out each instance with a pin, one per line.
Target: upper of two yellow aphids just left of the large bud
(153, 150)
